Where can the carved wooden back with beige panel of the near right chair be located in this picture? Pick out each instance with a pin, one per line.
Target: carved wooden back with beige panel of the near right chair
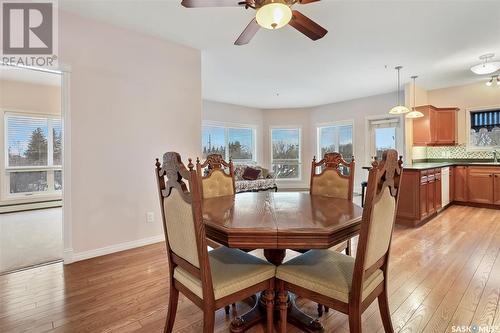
(379, 215)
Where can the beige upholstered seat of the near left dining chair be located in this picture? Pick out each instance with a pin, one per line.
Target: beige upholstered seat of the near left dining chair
(232, 270)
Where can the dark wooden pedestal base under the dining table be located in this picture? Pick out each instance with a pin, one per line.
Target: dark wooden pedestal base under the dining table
(258, 313)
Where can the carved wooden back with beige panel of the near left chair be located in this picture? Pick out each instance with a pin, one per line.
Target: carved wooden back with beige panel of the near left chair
(183, 220)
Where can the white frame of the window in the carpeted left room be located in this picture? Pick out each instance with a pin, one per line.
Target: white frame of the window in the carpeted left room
(50, 168)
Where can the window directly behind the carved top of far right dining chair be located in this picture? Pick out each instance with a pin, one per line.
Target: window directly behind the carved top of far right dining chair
(335, 138)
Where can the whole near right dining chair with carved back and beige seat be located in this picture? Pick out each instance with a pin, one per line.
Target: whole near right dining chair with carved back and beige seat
(344, 283)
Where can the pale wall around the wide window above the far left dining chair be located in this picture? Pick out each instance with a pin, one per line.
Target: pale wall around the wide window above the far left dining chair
(236, 114)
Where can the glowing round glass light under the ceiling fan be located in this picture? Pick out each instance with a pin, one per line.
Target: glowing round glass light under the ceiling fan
(274, 14)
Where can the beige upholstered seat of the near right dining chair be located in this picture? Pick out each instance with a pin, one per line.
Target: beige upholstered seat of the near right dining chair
(326, 272)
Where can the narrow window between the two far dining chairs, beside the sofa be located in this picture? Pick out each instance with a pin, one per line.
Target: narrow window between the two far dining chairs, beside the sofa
(285, 158)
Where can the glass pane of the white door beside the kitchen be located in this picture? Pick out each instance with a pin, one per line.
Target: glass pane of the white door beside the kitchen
(385, 134)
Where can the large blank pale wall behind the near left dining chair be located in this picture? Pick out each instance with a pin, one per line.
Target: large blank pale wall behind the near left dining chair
(132, 98)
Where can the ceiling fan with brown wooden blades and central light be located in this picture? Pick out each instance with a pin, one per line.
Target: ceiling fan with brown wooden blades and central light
(270, 14)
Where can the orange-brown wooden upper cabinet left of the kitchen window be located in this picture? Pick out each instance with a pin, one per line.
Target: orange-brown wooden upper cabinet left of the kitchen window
(438, 126)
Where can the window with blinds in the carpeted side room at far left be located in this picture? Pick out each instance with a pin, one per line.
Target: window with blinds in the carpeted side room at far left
(33, 154)
